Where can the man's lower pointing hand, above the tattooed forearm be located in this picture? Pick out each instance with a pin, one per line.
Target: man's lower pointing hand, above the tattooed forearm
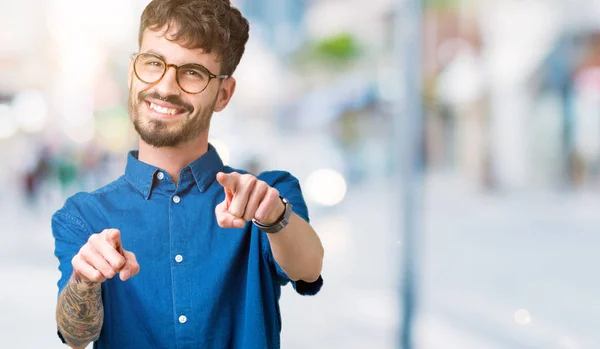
(103, 257)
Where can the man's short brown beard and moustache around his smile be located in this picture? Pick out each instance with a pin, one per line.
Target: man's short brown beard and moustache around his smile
(159, 133)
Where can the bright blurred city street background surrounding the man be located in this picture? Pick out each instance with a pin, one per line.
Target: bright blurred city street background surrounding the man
(504, 185)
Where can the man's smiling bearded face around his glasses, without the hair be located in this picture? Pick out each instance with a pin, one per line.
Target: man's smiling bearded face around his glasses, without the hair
(162, 113)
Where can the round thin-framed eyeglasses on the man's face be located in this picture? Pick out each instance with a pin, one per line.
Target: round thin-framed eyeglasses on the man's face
(192, 78)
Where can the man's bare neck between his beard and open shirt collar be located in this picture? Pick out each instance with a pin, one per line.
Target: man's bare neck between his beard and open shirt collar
(173, 159)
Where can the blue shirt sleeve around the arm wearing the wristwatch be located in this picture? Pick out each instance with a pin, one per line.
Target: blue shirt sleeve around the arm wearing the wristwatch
(289, 188)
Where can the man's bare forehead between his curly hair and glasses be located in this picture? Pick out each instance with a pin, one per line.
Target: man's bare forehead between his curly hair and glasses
(157, 41)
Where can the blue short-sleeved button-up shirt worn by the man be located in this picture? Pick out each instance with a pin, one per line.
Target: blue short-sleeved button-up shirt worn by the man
(200, 285)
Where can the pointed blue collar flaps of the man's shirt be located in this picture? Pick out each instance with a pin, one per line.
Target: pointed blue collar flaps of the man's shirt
(204, 170)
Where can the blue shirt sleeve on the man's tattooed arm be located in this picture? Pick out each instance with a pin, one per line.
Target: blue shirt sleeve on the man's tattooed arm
(70, 233)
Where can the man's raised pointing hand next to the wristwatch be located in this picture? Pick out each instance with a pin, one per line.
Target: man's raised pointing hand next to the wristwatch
(247, 198)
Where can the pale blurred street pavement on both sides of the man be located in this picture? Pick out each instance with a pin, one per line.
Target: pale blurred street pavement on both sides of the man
(483, 259)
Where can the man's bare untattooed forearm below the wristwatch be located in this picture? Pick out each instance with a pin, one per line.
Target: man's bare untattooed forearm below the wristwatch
(298, 250)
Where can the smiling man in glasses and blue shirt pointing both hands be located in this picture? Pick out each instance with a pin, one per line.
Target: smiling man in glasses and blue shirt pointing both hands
(200, 249)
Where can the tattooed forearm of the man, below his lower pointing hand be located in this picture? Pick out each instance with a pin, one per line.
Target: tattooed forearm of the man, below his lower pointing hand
(80, 312)
